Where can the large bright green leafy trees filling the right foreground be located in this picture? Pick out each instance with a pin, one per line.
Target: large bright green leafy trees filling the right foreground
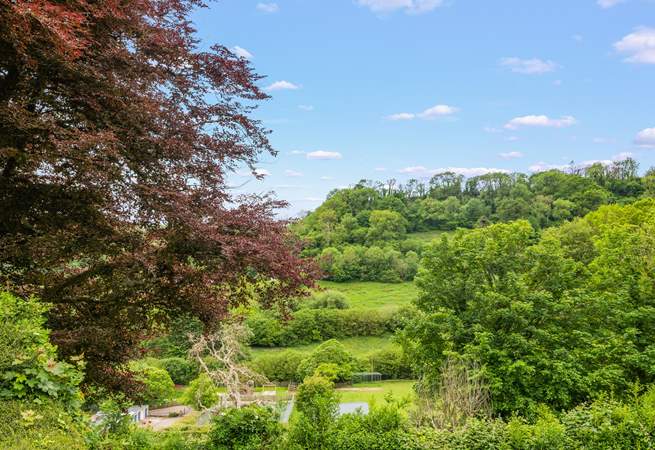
(558, 319)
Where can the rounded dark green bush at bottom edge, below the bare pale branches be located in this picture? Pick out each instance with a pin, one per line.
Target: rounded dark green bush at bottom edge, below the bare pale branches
(250, 428)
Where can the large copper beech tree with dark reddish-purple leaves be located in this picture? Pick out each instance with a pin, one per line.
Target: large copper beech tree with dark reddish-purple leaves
(117, 133)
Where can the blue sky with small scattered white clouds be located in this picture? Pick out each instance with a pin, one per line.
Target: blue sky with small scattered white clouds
(379, 89)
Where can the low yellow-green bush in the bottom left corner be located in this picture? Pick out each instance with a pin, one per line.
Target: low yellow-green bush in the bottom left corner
(43, 425)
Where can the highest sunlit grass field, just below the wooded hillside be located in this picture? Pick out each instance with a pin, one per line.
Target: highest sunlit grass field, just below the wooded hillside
(374, 295)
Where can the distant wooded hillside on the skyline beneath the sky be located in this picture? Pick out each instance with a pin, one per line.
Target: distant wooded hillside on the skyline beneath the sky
(366, 232)
